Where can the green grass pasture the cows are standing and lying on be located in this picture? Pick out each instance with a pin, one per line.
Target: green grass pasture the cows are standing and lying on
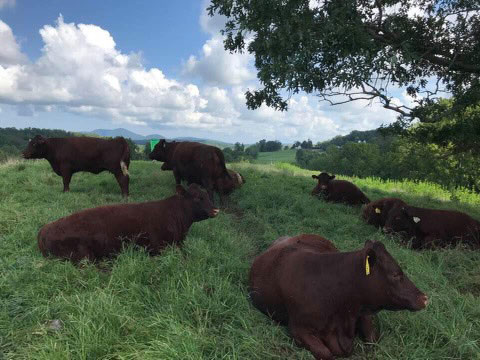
(191, 303)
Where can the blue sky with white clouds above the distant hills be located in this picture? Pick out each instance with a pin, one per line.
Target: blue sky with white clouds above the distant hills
(152, 67)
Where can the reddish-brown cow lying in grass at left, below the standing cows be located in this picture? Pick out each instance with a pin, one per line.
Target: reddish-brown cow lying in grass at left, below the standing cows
(101, 232)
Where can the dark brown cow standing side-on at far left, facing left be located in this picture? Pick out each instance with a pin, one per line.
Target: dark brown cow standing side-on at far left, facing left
(73, 154)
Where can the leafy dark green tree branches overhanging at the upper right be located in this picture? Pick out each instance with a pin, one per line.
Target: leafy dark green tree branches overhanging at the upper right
(357, 49)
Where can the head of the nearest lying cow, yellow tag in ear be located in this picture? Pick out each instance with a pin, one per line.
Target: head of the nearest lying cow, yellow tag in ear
(388, 286)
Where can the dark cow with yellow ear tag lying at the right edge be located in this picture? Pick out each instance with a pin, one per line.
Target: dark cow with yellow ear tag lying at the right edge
(431, 228)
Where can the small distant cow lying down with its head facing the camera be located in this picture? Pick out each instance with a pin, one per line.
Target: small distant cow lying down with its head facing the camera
(341, 191)
